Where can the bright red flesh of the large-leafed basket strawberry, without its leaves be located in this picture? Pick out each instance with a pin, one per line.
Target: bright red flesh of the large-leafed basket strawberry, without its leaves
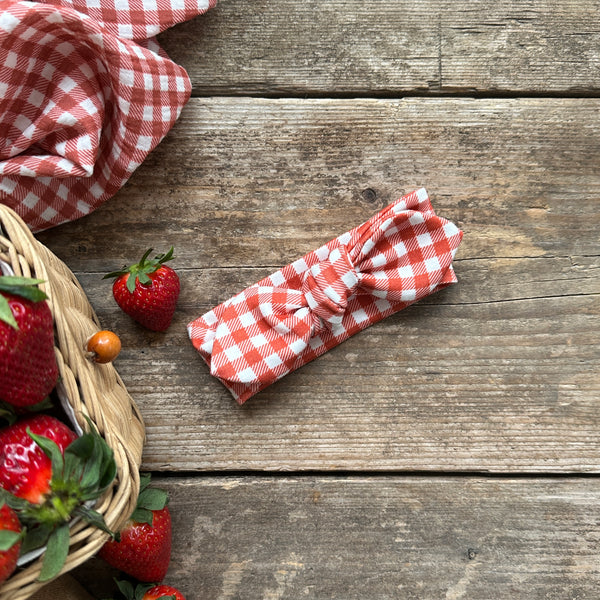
(25, 471)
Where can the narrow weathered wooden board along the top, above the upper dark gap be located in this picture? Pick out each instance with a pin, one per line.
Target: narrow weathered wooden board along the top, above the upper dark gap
(391, 47)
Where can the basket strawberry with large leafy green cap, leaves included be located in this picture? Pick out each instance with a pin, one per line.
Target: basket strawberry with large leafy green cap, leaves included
(51, 477)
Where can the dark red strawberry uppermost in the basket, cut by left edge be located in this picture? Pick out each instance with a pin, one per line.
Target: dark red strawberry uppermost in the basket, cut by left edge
(28, 368)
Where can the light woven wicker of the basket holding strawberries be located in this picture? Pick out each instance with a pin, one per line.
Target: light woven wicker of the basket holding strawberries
(90, 389)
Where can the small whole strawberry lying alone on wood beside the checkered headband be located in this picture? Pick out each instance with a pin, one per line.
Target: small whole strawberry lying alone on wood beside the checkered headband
(148, 291)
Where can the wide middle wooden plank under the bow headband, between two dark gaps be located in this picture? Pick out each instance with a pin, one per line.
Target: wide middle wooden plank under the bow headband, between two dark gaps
(498, 373)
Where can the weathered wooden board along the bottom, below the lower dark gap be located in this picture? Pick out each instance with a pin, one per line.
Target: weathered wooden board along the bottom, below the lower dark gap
(367, 537)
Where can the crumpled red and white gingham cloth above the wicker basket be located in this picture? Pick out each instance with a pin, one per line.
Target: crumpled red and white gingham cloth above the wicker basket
(85, 95)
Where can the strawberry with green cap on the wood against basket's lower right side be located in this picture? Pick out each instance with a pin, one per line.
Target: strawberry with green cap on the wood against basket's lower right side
(144, 549)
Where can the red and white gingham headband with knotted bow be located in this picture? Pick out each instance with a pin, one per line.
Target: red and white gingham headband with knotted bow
(397, 257)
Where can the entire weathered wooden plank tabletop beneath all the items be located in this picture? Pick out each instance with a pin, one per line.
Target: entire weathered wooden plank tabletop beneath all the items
(297, 132)
